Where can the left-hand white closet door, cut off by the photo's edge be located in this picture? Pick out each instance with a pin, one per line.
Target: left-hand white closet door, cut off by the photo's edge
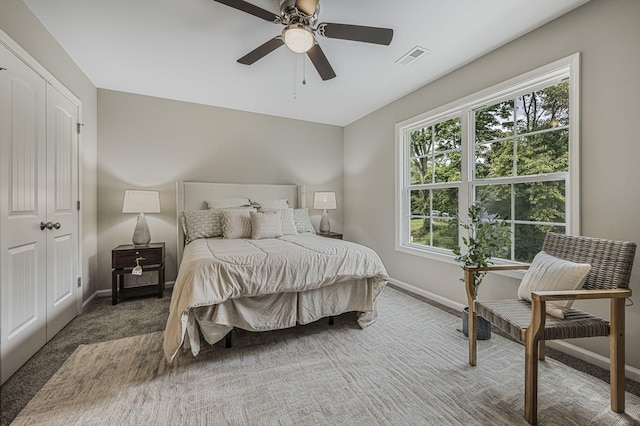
(23, 202)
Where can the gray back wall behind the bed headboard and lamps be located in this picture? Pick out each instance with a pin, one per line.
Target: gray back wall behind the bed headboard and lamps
(149, 143)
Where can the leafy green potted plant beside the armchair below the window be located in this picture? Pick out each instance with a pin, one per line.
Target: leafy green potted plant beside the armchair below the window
(487, 236)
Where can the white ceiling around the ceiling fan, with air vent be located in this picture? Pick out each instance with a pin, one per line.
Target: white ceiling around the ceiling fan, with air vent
(187, 49)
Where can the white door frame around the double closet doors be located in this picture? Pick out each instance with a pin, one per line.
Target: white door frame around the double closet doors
(32, 63)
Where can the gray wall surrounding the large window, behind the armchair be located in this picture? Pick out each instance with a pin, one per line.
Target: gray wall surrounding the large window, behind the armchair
(606, 32)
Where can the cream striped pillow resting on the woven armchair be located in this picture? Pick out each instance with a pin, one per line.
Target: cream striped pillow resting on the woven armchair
(550, 273)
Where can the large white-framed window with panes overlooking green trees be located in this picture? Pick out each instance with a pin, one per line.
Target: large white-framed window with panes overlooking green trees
(513, 145)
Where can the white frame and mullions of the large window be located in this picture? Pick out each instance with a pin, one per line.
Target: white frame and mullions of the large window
(464, 108)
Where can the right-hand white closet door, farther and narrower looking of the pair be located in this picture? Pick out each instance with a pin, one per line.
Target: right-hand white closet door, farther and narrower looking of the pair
(62, 213)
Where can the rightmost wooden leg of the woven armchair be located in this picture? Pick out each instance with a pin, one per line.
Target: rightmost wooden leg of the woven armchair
(616, 355)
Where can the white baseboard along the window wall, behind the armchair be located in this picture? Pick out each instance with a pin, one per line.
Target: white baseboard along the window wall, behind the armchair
(560, 345)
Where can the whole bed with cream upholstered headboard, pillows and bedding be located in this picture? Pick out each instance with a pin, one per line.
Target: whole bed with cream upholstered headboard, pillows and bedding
(276, 276)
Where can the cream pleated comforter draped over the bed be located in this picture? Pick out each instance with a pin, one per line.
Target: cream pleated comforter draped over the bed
(216, 270)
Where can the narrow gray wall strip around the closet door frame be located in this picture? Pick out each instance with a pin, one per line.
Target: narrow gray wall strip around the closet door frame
(22, 26)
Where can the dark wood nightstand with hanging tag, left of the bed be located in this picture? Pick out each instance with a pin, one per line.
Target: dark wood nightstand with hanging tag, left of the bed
(123, 260)
